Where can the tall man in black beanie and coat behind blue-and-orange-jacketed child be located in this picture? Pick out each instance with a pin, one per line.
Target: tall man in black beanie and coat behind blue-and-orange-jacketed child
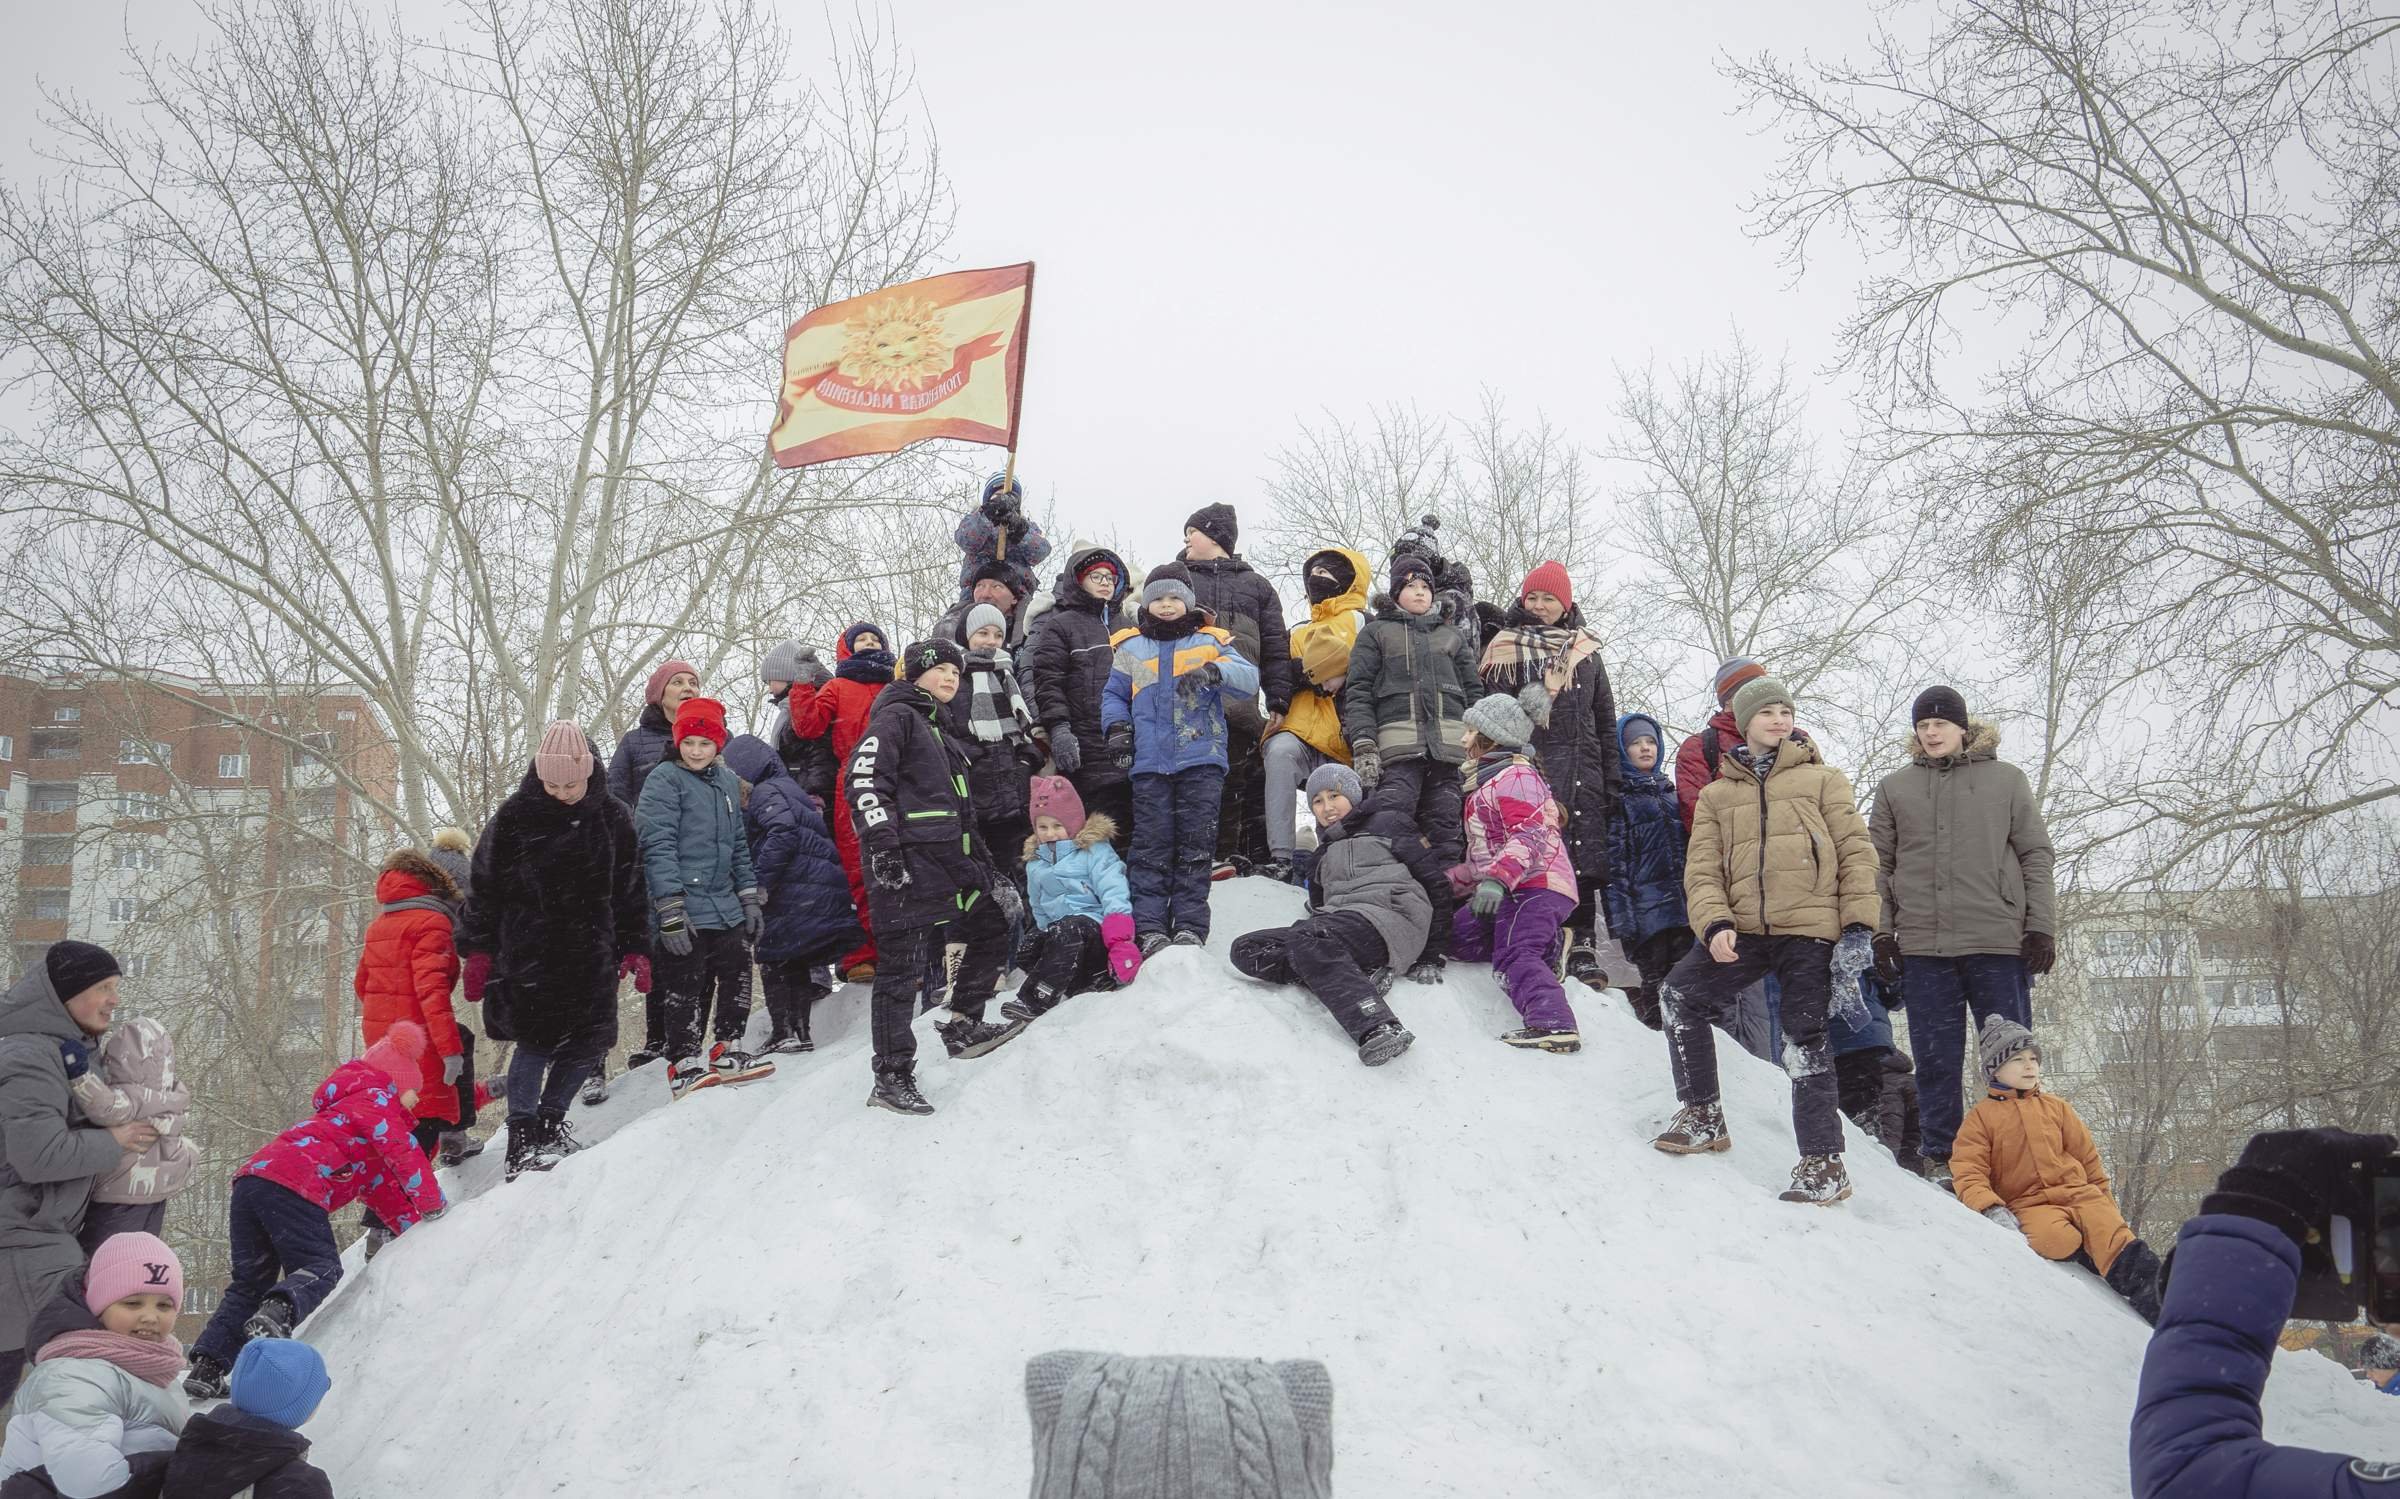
(1244, 606)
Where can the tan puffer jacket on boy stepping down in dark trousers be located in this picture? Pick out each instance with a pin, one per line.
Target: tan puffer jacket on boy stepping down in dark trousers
(1787, 860)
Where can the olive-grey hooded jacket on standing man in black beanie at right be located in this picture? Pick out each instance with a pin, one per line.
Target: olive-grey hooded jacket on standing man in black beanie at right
(1962, 853)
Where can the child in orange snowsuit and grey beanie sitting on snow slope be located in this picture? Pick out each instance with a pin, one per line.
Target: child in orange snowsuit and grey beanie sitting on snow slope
(2027, 1162)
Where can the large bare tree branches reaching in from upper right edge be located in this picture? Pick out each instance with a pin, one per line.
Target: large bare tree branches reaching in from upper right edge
(2183, 219)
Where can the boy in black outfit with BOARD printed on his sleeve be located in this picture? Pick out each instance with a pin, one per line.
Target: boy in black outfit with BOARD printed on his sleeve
(928, 872)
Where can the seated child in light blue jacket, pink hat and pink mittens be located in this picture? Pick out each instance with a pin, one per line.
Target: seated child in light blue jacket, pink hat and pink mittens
(1079, 901)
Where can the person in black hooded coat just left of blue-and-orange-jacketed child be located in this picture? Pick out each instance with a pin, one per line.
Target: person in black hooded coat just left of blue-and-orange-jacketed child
(1069, 666)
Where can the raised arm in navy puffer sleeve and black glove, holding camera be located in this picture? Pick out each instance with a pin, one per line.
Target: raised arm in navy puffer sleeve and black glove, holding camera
(2231, 1287)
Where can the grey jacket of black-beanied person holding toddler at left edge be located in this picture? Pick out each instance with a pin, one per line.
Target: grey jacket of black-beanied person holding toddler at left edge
(49, 1152)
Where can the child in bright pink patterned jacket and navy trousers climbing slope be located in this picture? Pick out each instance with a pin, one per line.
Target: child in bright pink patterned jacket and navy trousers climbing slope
(356, 1148)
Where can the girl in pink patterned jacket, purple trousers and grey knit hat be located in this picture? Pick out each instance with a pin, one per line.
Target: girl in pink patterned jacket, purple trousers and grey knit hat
(1518, 881)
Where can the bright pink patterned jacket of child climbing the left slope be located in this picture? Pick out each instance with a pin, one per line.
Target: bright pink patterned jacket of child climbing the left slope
(356, 1145)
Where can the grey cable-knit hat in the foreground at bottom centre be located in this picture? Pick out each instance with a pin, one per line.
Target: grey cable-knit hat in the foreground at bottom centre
(1180, 1428)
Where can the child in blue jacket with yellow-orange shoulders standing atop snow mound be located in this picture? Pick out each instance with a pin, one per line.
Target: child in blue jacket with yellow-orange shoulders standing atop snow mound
(1165, 721)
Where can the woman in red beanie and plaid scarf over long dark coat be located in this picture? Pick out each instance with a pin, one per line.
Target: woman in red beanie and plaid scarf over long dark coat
(1552, 663)
